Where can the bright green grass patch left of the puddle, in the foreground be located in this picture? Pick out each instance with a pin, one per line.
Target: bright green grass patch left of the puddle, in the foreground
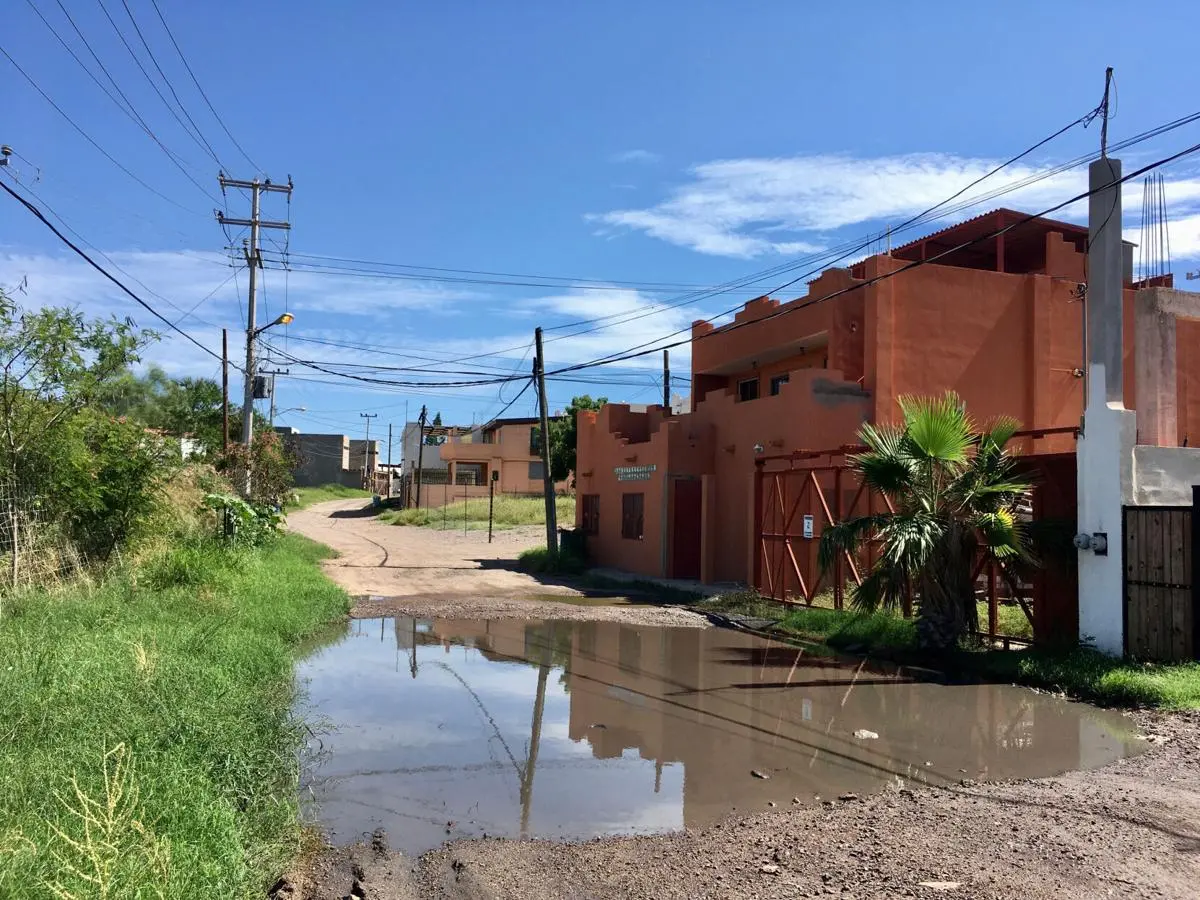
(147, 727)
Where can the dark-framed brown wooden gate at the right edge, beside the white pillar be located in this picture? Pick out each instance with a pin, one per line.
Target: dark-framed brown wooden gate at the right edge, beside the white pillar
(1160, 604)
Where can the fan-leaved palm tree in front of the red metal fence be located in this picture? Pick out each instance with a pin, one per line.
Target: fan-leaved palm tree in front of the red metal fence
(955, 490)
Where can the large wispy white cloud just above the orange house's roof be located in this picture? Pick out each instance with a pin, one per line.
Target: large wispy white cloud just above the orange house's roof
(755, 207)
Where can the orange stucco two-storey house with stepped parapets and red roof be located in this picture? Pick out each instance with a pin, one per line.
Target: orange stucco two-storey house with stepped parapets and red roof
(999, 321)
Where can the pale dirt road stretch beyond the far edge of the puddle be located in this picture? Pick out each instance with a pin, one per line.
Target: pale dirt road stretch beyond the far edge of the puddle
(424, 572)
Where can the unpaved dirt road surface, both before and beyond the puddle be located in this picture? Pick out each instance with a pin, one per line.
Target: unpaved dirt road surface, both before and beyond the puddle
(1131, 830)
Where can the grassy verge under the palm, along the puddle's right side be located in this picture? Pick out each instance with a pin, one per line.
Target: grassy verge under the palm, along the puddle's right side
(1079, 673)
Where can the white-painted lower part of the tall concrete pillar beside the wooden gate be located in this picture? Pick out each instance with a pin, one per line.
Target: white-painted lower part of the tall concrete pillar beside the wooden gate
(1106, 484)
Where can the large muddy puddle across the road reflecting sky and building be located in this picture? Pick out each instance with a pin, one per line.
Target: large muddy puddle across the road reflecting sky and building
(568, 730)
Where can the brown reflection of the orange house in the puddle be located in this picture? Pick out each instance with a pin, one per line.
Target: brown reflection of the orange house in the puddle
(725, 705)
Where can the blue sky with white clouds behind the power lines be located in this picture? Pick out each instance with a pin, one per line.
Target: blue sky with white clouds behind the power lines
(629, 145)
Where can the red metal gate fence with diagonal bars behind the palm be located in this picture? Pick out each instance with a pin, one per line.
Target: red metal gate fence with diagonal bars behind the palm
(800, 495)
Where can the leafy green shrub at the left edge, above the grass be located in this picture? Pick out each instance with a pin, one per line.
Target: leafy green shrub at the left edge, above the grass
(71, 472)
